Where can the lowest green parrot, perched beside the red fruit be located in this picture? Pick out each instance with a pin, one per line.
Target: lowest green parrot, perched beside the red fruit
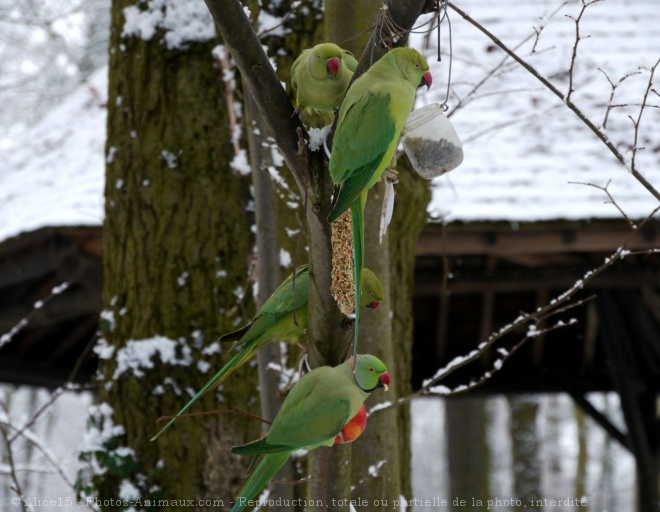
(313, 413)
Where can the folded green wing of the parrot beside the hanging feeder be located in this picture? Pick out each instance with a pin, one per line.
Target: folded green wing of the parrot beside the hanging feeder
(354, 163)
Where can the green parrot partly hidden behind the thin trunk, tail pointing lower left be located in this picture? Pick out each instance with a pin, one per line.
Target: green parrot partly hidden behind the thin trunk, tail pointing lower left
(275, 322)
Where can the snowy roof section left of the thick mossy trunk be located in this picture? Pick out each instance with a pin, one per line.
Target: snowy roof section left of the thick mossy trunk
(53, 174)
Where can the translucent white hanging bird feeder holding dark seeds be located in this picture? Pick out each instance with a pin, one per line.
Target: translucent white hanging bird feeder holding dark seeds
(431, 142)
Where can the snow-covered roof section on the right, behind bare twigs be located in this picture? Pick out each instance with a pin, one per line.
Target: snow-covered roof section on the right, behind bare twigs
(522, 145)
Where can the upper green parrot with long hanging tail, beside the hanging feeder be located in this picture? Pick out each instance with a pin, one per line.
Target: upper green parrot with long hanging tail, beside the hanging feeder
(370, 122)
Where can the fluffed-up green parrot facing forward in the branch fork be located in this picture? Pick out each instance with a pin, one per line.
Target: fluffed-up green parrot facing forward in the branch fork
(319, 79)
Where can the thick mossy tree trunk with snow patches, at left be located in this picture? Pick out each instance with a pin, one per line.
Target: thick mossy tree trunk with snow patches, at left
(177, 241)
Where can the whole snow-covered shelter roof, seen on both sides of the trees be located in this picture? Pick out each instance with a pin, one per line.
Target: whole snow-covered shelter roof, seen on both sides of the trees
(522, 146)
